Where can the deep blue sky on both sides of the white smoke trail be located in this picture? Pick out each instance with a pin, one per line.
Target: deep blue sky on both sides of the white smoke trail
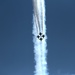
(16, 39)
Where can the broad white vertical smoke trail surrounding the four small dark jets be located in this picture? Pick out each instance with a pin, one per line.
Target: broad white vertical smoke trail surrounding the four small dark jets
(40, 50)
